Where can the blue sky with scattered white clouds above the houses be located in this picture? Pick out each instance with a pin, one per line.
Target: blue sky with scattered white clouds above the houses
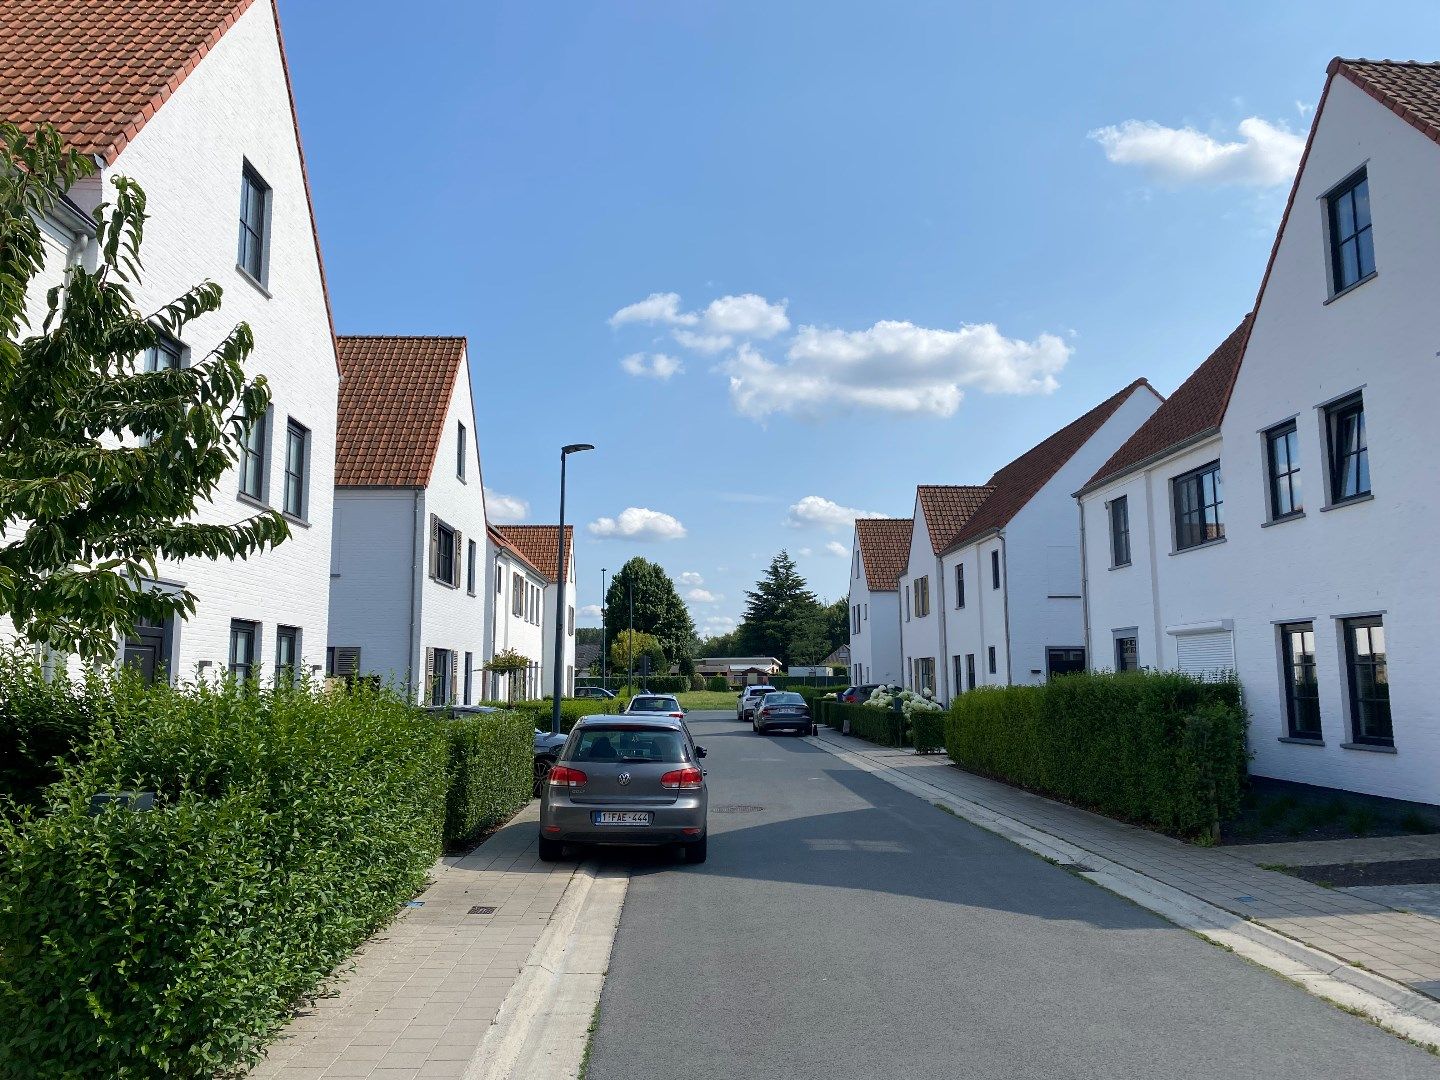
(905, 241)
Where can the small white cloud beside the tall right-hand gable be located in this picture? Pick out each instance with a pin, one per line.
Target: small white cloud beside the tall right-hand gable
(1264, 156)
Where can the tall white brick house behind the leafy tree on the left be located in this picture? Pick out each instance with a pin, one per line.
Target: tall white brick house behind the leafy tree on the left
(202, 117)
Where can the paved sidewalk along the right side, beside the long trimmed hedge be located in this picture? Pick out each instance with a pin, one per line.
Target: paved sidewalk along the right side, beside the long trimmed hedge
(1398, 945)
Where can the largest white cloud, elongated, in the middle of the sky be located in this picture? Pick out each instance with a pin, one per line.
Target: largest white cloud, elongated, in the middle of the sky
(895, 368)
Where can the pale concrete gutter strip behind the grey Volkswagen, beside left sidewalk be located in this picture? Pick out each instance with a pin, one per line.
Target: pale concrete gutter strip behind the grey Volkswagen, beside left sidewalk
(544, 1026)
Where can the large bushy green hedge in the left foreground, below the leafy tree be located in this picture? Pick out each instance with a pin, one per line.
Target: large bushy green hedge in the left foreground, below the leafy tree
(289, 827)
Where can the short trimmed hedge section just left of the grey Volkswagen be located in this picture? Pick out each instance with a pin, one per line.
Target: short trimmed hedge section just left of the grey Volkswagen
(490, 774)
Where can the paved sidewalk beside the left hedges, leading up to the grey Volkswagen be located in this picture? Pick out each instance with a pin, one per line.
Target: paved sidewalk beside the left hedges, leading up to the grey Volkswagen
(424, 993)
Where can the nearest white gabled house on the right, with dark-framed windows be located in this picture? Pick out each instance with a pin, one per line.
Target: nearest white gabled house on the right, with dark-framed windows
(1315, 577)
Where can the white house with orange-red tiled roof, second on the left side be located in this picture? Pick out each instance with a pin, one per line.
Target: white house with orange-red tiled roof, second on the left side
(408, 584)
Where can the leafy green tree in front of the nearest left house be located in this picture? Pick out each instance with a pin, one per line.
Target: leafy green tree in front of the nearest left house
(103, 466)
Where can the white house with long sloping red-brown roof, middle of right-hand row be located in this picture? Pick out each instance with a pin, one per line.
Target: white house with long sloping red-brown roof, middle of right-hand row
(1004, 562)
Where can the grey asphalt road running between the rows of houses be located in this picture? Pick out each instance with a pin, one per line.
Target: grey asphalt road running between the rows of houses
(849, 930)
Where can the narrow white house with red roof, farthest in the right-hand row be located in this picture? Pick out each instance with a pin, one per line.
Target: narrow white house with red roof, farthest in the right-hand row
(879, 554)
